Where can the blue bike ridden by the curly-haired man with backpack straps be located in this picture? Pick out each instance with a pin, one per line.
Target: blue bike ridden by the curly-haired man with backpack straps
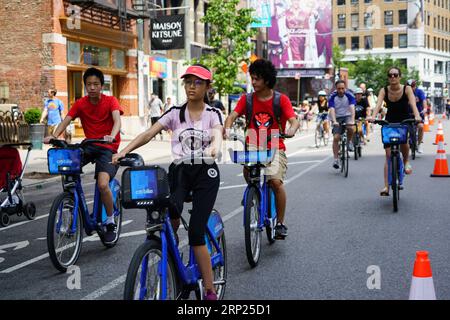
(259, 199)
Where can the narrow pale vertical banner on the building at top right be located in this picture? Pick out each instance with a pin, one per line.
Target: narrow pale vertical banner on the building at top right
(416, 28)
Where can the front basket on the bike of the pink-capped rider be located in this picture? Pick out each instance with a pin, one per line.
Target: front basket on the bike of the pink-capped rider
(145, 186)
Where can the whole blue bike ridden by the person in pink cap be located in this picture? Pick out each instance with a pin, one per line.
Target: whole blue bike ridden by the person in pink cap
(157, 270)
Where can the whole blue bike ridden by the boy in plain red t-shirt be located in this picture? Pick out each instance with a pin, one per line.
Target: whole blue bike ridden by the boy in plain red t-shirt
(69, 212)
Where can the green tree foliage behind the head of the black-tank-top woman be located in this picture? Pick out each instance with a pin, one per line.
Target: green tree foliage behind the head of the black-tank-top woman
(373, 71)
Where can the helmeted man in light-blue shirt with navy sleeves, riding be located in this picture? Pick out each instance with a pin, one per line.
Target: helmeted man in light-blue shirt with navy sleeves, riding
(342, 110)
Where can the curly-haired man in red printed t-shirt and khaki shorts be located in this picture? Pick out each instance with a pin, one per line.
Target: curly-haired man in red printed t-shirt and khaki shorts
(263, 124)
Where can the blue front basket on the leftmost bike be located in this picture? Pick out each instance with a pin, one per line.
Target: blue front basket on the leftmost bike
(64, 161)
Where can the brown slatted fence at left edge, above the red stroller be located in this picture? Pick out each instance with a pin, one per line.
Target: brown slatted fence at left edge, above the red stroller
(13, 128)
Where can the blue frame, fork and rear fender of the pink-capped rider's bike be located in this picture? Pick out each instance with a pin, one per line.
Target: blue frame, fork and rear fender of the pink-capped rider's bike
(189, 274)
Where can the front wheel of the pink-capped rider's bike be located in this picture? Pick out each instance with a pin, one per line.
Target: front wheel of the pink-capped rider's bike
(144, 279)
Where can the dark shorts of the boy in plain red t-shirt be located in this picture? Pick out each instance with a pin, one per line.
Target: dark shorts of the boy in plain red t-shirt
(102, 158)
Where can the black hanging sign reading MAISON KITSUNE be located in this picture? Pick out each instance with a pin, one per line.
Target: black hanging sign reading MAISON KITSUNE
(167, 32)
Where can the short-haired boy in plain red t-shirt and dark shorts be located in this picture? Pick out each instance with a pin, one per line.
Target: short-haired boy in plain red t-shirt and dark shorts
(100, 118)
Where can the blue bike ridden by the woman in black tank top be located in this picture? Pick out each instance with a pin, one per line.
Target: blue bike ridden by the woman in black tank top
(395, 134)
